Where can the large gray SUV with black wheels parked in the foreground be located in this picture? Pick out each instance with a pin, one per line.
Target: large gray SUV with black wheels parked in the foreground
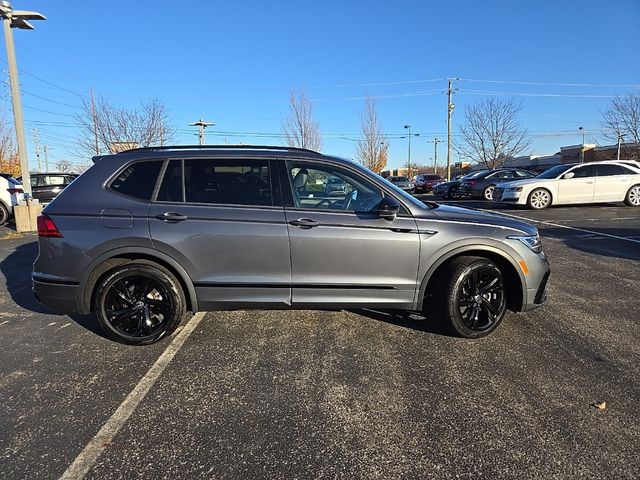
(147, 235)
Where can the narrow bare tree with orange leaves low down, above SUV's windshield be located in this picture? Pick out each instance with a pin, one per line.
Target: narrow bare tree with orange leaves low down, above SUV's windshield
(373, 149)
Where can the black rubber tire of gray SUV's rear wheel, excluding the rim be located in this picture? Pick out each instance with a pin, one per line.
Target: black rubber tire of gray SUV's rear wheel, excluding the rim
(161, 276)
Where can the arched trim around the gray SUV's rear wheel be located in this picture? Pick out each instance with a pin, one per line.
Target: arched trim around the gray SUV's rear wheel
(113, 258)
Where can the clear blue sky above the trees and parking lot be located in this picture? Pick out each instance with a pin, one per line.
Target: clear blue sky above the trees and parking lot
(234, 63)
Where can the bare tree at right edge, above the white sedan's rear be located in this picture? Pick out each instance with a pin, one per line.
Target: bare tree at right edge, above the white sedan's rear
(622, 120)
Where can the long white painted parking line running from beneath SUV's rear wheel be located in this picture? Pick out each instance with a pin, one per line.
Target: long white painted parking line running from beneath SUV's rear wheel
(89, 455)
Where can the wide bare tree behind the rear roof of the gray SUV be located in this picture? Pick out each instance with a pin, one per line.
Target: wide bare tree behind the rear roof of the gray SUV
(105, 127)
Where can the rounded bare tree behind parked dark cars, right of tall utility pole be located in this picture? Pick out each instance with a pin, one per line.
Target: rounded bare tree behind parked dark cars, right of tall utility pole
(491, 133)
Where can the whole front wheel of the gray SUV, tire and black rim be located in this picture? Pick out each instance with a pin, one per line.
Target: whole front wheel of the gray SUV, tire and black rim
(459, 300)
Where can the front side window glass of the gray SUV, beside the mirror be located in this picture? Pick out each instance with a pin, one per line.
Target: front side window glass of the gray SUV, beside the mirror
(311, 188)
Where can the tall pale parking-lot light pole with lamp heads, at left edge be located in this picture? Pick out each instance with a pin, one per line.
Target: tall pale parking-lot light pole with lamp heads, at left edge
(17, 19)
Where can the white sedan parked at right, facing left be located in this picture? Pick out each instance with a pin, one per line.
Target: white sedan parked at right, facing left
(594, 182)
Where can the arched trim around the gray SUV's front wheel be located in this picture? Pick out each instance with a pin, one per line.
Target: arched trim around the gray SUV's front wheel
(515, 283)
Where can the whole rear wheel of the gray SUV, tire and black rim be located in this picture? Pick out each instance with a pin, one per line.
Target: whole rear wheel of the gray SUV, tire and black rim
(148, 299)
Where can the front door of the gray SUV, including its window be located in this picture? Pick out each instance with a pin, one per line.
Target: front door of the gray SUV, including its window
(342, 252)
